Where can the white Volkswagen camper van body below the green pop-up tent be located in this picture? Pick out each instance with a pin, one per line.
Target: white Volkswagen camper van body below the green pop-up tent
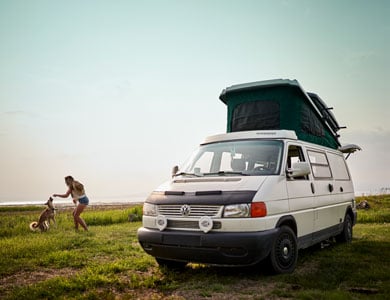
(248, 196)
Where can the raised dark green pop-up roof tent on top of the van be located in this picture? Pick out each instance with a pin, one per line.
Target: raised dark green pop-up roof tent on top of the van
(280, 104)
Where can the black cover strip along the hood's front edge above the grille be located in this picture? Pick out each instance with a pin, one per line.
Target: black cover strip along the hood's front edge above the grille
(205, 197)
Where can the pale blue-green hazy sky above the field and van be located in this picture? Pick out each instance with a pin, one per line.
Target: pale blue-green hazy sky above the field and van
(116, 93)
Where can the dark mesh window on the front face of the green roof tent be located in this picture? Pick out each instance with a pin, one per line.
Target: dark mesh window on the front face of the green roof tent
(258, 115)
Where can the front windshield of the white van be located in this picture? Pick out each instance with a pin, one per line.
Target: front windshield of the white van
(241, 158)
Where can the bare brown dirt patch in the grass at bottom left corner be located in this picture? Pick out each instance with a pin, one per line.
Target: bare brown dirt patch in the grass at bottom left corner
(23, 278)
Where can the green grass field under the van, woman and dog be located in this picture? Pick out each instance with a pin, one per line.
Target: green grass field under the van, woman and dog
(108, 263)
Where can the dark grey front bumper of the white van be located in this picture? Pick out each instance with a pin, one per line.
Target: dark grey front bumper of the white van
(223, 248)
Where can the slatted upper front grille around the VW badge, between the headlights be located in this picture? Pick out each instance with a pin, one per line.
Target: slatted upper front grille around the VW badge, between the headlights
(195, 210)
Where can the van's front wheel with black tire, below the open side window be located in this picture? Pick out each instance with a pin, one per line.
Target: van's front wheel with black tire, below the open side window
(284, 253)
